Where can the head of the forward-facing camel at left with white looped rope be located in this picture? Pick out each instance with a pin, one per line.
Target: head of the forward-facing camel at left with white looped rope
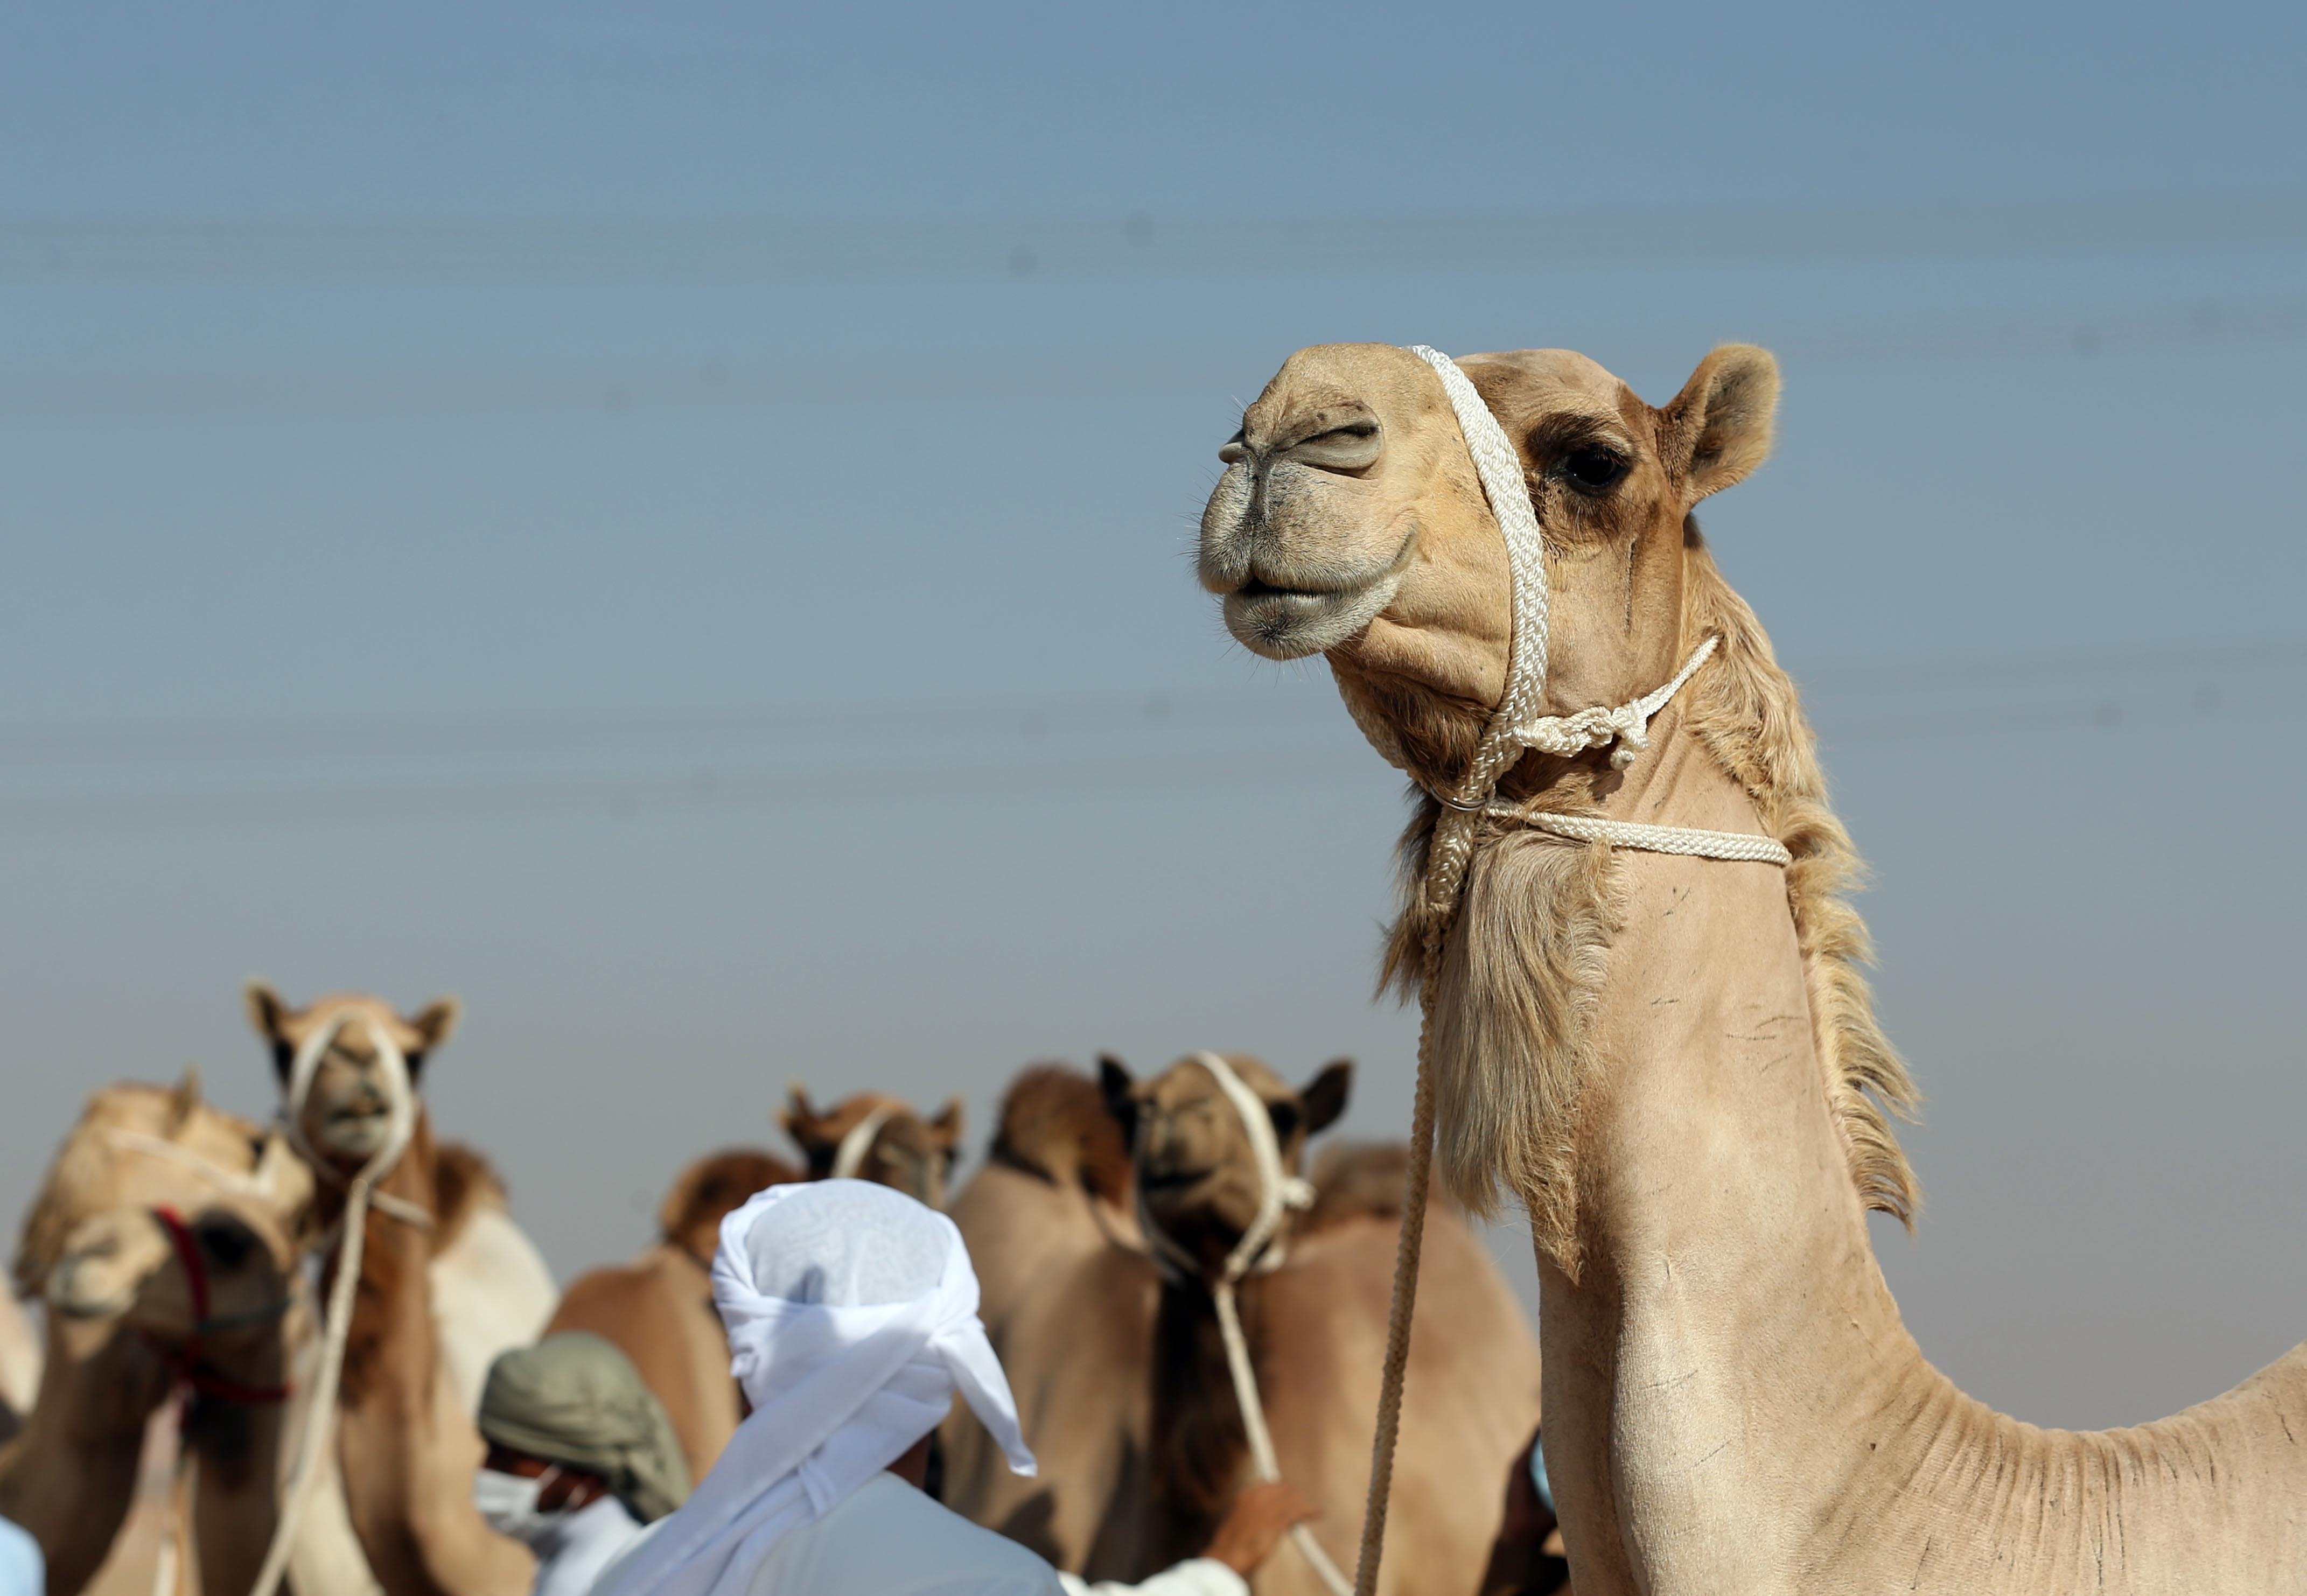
(347, 1113)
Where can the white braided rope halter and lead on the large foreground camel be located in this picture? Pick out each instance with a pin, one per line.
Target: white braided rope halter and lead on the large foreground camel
(1515, 730)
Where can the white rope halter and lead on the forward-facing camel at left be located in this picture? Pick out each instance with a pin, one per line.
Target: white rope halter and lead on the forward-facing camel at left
(359, 1196)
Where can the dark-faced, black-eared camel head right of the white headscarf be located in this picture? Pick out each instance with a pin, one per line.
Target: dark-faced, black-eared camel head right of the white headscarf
(1194, 1161)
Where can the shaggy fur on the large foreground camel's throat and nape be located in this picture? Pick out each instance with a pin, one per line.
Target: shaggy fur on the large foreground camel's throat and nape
(1531, 944)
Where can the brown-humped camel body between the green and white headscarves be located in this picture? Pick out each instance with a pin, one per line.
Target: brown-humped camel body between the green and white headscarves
(661, 1307)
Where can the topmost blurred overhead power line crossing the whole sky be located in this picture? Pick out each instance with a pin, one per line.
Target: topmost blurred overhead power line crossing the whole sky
(1132, 246)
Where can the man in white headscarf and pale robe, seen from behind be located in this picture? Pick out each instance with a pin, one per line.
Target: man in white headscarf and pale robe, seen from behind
(855, 1320)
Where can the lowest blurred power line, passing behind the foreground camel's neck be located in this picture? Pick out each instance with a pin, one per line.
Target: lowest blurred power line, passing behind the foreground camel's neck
(1014, 751)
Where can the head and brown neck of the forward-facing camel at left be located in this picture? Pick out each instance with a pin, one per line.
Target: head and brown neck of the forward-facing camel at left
(405, 1433)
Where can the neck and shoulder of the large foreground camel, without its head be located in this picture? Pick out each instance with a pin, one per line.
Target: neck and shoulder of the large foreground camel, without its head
(1671, 1062)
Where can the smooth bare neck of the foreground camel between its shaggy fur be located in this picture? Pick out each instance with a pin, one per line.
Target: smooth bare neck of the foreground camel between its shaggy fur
(1729, 1286)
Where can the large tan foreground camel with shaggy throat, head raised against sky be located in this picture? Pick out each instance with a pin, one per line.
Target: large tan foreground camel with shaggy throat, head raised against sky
(1674, 1062)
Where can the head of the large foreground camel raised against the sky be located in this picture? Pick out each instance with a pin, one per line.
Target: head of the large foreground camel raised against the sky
(1351, 525)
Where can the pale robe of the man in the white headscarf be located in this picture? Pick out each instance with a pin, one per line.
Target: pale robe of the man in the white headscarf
(889, 1539)
